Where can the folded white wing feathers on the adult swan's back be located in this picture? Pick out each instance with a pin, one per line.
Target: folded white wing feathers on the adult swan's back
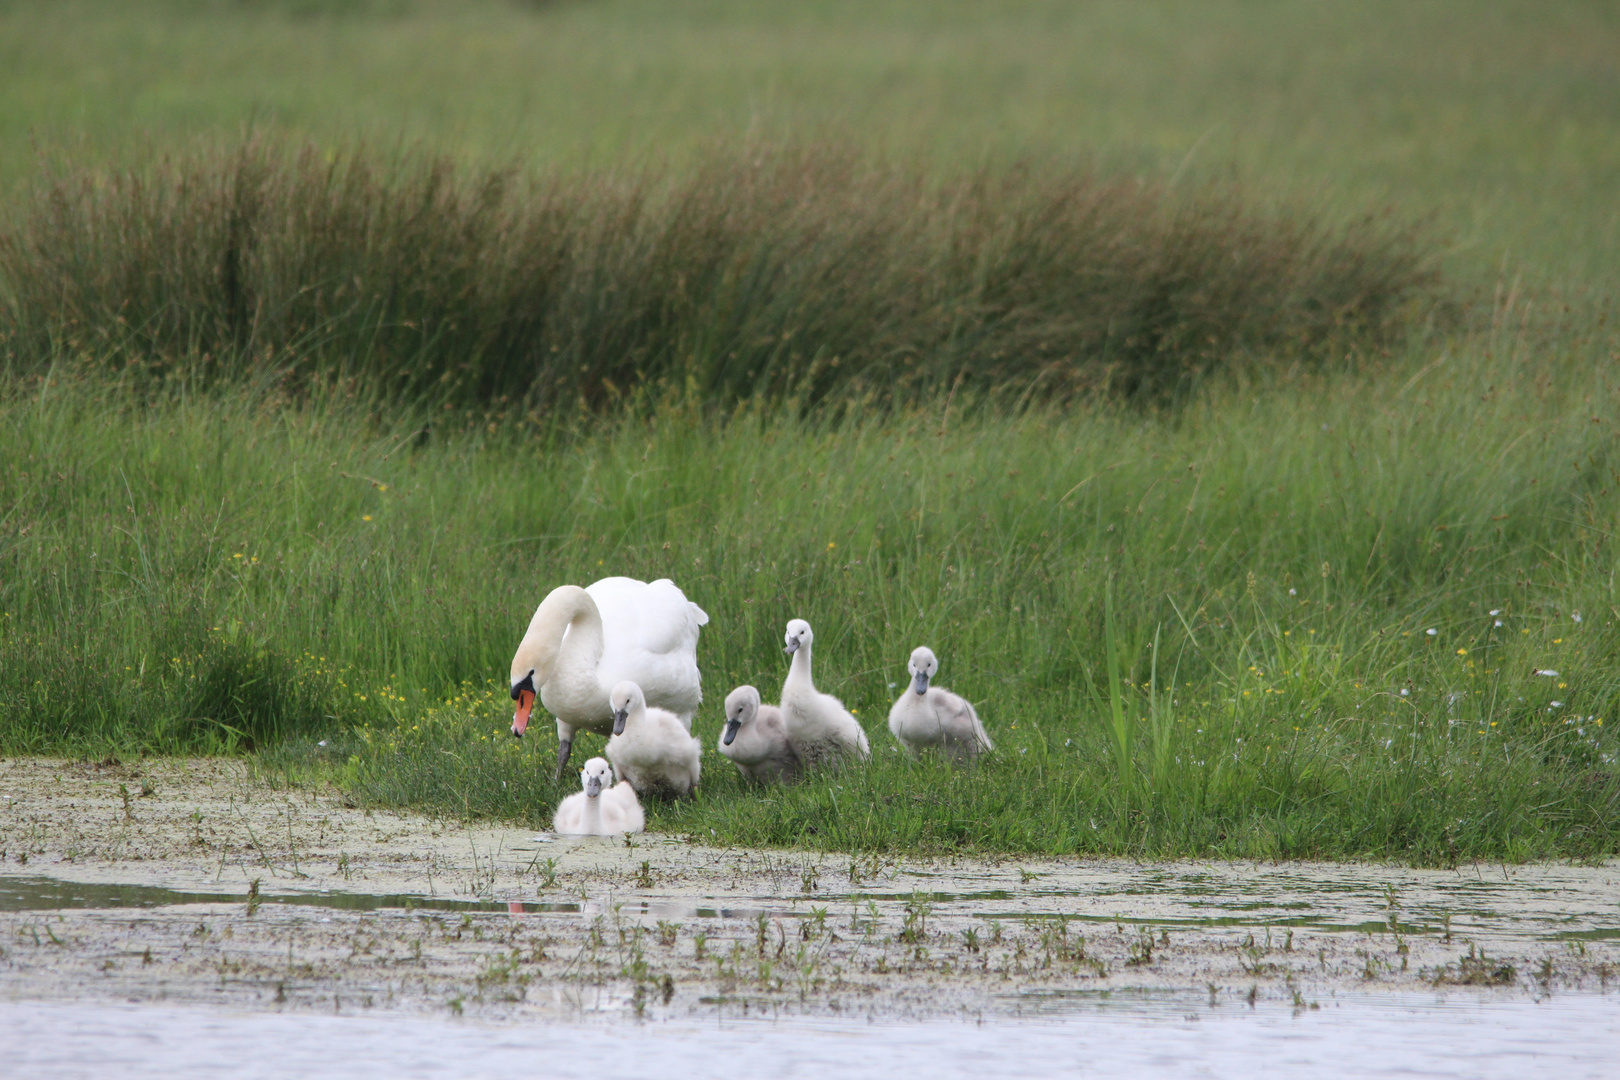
(650, 637)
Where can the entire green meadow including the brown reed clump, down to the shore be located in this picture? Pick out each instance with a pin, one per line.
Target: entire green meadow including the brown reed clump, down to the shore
(1266, 349)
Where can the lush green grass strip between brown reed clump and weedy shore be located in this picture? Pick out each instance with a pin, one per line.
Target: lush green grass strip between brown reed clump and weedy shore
(215, 571)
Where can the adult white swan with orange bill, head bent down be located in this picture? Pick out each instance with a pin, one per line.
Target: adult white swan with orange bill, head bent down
(584, 642)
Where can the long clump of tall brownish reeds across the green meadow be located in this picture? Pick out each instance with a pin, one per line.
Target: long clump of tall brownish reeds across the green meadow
(778, 274)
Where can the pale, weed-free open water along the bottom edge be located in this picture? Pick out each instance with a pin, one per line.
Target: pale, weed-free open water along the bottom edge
(1154, 1035)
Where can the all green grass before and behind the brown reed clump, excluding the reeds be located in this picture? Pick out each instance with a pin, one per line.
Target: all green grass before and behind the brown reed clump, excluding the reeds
(216, 566)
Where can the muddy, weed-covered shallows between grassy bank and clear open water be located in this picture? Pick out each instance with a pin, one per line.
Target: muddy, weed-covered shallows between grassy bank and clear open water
(189, 882)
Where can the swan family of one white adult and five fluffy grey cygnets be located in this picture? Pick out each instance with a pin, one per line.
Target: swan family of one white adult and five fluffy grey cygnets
(620, 658)
